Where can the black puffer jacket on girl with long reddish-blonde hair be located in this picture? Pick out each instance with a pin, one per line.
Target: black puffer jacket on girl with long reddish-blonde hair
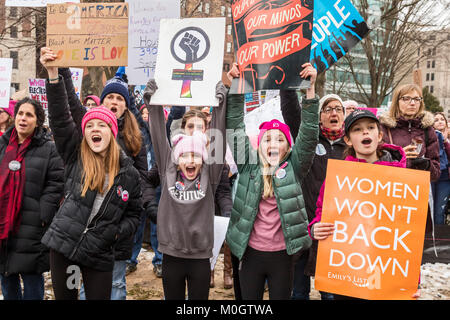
(90, 245)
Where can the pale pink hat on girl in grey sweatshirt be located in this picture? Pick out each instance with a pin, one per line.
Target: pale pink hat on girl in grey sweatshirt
(195, 143)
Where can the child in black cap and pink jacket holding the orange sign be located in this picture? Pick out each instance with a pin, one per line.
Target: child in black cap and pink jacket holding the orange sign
(364, 141)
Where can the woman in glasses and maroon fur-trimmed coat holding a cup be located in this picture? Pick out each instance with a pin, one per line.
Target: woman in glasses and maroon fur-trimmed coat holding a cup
(410, 126)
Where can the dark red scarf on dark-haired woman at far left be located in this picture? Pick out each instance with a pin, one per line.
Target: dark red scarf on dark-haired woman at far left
(11, 186)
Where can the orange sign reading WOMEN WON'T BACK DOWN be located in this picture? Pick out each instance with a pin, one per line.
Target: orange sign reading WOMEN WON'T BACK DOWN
(379, 213)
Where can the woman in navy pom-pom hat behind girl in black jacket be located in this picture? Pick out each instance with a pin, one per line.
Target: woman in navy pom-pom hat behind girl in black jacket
(115, 96)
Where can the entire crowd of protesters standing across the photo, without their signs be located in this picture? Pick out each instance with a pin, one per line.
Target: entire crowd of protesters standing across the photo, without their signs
(75, 196)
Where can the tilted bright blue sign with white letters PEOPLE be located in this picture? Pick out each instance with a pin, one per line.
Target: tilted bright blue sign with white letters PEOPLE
(337, 28)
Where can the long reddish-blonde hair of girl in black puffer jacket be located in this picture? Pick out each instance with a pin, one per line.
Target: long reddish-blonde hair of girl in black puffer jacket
(95, 166)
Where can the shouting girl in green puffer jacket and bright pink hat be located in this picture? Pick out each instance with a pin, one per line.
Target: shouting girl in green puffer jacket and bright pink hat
(268, 222)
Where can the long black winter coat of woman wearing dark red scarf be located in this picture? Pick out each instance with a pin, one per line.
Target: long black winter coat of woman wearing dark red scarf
(43, 191)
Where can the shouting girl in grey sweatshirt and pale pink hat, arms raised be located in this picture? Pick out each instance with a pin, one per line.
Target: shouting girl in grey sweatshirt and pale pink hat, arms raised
(189, 179)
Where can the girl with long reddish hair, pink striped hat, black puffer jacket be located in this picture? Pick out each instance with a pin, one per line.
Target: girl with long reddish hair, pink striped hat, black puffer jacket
(103, 200)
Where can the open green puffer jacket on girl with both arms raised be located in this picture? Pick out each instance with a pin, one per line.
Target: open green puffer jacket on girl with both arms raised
(287, 191)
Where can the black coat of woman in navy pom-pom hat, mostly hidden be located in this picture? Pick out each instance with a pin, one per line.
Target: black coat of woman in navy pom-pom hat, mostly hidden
(124, 245)
